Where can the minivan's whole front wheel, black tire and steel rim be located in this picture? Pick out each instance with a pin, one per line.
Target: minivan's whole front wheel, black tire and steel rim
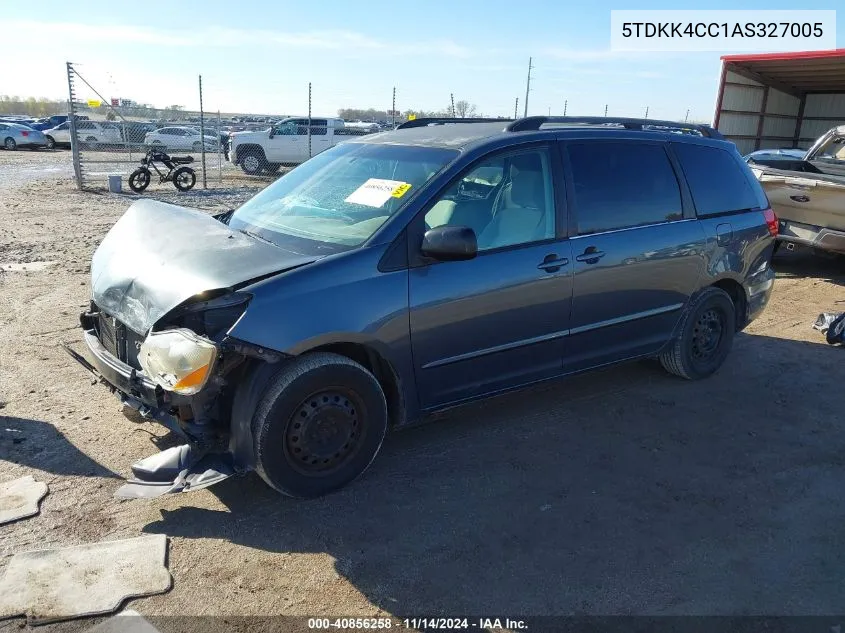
(319, 425)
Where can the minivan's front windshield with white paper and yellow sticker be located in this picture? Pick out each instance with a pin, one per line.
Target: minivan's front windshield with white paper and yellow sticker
(339, 198)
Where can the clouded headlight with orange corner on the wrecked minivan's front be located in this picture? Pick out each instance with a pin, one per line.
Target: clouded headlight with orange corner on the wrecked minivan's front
(178, 360)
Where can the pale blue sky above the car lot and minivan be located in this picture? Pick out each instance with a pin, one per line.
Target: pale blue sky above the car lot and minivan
(259, 55)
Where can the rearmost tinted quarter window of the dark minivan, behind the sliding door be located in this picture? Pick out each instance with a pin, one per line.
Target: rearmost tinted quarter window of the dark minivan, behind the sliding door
(717, 181)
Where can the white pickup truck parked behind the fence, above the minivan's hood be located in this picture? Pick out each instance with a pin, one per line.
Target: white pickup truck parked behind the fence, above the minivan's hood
(286, 143)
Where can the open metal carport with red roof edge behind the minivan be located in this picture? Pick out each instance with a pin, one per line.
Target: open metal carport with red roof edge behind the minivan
(775, 100)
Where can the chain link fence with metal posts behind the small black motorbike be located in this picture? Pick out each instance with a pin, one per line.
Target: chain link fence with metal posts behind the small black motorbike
(110, 137)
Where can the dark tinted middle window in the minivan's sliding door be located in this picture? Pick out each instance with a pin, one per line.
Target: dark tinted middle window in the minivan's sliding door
(622, 185)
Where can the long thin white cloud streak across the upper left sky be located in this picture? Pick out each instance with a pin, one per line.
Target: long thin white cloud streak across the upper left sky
(222, 37)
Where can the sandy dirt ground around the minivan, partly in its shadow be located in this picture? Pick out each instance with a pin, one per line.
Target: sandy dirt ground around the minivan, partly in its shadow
(625, 491)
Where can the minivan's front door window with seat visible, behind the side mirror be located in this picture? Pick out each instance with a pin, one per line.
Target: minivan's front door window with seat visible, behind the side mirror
(507, 200)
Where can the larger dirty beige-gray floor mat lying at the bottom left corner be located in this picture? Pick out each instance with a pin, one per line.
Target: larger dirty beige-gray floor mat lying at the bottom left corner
(59, 584)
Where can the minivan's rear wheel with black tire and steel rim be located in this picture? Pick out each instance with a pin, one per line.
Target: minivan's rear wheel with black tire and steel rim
(705, 338)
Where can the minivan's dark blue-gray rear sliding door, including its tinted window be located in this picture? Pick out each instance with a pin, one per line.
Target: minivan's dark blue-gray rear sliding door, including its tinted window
(637, 249)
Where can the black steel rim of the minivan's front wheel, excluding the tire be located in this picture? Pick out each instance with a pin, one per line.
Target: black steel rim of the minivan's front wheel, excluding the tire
(323, 433)
